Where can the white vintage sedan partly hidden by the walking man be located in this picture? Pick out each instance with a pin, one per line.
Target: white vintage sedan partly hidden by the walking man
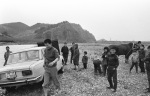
(25, 67)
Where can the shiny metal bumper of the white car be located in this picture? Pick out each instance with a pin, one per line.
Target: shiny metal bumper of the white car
(22, 82)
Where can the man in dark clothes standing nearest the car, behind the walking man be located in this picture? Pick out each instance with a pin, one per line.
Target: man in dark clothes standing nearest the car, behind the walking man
(65, 52)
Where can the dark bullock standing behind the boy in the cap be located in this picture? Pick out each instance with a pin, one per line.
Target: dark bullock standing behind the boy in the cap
(124, 49)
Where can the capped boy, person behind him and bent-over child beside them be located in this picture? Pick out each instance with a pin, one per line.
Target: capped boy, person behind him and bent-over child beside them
(109, 66)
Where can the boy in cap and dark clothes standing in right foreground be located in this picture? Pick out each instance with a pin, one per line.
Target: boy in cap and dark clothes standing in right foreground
(113, 64)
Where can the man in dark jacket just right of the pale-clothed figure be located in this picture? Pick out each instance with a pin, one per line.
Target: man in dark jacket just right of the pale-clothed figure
(141, 58)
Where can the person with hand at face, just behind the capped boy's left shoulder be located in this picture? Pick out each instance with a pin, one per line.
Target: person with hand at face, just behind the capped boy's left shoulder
(105, 61)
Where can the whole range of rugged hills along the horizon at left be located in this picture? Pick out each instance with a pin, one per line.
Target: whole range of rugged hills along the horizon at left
(63, 31)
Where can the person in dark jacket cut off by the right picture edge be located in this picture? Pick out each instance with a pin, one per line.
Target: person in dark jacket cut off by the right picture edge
(147, 62)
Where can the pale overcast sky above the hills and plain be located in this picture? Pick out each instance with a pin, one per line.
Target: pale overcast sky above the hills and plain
(116, 19)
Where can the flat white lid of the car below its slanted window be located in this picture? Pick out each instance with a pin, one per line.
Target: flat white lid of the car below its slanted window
(18, 66)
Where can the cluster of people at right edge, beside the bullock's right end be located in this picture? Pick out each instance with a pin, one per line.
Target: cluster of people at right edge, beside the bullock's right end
(141, 57)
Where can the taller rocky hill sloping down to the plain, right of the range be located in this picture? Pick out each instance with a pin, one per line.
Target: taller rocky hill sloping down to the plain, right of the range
(65, 31)
